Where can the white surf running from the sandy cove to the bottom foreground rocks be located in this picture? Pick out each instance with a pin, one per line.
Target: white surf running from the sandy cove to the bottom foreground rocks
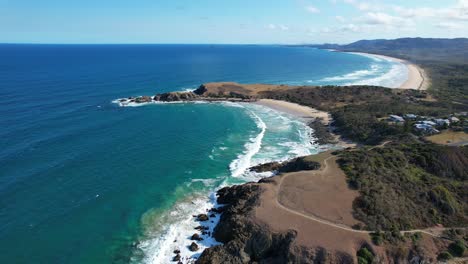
(178, 224)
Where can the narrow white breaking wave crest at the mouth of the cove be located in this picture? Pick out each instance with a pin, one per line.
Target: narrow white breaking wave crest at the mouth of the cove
(243, 161)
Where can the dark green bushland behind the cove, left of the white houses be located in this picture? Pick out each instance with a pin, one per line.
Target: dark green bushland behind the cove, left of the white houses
(358, 110)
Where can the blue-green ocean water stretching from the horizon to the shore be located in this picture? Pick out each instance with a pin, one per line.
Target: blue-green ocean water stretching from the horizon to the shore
(83, 180)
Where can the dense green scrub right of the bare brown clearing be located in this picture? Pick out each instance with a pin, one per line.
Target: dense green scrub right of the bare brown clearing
(408, 185)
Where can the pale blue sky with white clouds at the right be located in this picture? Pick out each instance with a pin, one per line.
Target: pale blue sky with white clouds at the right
(228, 22)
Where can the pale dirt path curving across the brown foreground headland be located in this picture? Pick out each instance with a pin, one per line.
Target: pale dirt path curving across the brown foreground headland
(434, 232)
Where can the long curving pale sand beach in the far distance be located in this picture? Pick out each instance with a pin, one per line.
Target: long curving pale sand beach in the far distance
(417, 77)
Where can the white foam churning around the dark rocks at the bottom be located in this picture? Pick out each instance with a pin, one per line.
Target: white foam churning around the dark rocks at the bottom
(160, 248)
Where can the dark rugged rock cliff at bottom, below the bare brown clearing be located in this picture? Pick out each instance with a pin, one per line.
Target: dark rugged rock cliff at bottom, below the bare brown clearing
(245, 240)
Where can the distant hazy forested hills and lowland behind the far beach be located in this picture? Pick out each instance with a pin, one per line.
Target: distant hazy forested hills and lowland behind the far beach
(445, 60)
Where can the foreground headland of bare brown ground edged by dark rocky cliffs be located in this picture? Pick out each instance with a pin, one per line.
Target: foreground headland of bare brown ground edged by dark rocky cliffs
(259, 224)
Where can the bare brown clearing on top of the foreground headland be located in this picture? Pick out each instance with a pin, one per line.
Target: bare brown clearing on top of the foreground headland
(317, 204)
